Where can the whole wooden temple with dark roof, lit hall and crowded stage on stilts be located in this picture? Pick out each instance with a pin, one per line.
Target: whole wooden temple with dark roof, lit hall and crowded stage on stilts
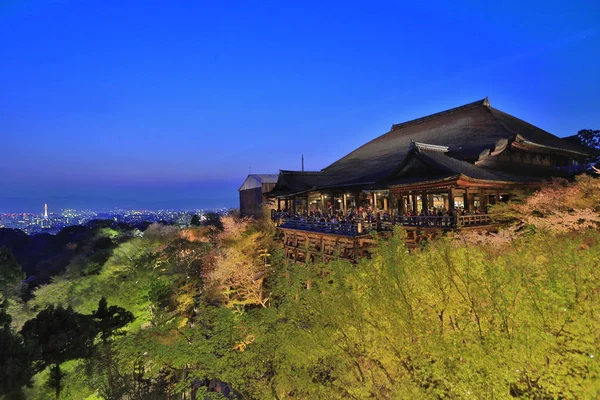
(438, 172)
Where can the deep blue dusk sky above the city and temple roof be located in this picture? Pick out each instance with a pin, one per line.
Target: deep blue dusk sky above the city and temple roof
(118, 102)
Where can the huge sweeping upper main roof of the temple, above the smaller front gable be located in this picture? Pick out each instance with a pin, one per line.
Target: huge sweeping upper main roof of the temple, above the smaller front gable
(467, 130)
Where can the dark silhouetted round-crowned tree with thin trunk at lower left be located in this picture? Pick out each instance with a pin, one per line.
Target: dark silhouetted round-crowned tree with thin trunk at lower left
(57, 335)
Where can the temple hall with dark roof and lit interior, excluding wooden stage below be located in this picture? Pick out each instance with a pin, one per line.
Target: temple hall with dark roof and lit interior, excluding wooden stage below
(463, 159)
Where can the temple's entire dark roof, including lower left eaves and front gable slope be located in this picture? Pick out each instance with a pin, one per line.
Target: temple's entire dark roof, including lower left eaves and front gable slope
(467, 131)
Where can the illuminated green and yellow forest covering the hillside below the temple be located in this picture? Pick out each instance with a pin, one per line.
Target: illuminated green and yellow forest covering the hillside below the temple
(215, 312)
